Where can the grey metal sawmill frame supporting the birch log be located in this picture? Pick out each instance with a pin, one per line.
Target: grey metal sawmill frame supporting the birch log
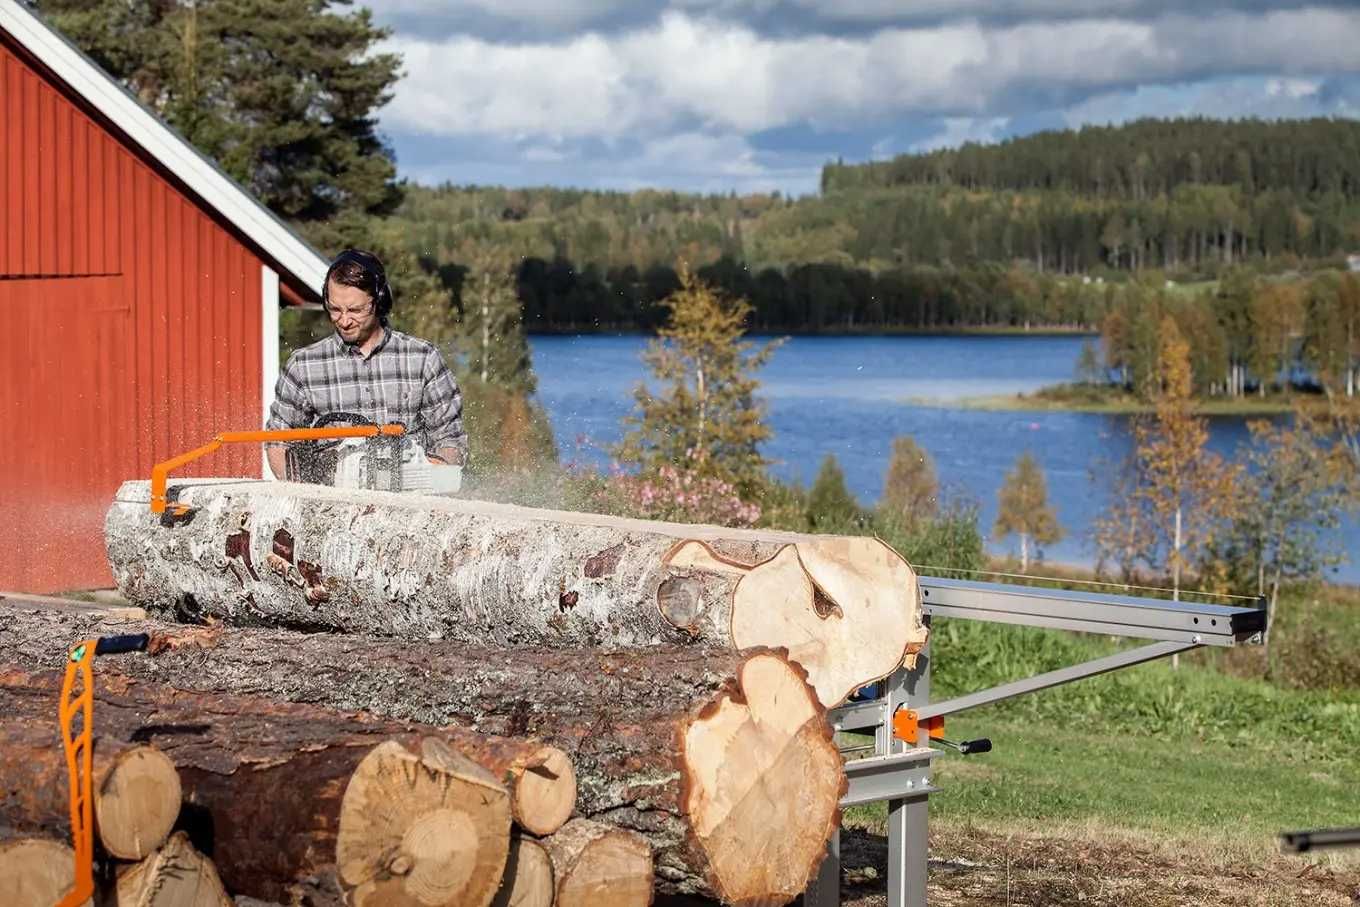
(901, 774)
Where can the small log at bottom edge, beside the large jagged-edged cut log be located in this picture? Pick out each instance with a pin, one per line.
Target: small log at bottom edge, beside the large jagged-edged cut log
(598, 866)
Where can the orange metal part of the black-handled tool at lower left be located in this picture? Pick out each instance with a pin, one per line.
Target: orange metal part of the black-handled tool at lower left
(80, 765)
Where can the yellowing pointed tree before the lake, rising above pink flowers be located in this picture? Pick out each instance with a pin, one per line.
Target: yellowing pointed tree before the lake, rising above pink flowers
(705, 417)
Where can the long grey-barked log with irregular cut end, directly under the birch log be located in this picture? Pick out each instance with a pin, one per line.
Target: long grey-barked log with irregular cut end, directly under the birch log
(662, 739)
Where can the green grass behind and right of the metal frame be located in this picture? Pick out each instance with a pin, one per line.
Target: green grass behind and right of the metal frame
(1202, 753)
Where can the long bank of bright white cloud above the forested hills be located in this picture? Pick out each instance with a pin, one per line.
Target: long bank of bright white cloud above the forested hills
(689, 73)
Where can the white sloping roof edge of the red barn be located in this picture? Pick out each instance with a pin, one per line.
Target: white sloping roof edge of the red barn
(201, 175)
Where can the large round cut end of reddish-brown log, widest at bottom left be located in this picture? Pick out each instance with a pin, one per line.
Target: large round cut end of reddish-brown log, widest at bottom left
(422, 830)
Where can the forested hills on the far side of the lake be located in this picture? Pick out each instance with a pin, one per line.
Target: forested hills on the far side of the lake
(1022, 235)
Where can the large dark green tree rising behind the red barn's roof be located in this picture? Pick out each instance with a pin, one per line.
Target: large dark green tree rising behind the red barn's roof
(281, 93)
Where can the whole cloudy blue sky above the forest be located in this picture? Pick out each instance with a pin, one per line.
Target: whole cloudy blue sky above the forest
(755, 96)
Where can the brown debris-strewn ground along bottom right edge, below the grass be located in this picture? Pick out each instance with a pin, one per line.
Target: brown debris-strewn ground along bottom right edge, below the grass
(1101, 868)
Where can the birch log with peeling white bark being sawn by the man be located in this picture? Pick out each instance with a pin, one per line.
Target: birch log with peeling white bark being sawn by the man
(316, 558)
